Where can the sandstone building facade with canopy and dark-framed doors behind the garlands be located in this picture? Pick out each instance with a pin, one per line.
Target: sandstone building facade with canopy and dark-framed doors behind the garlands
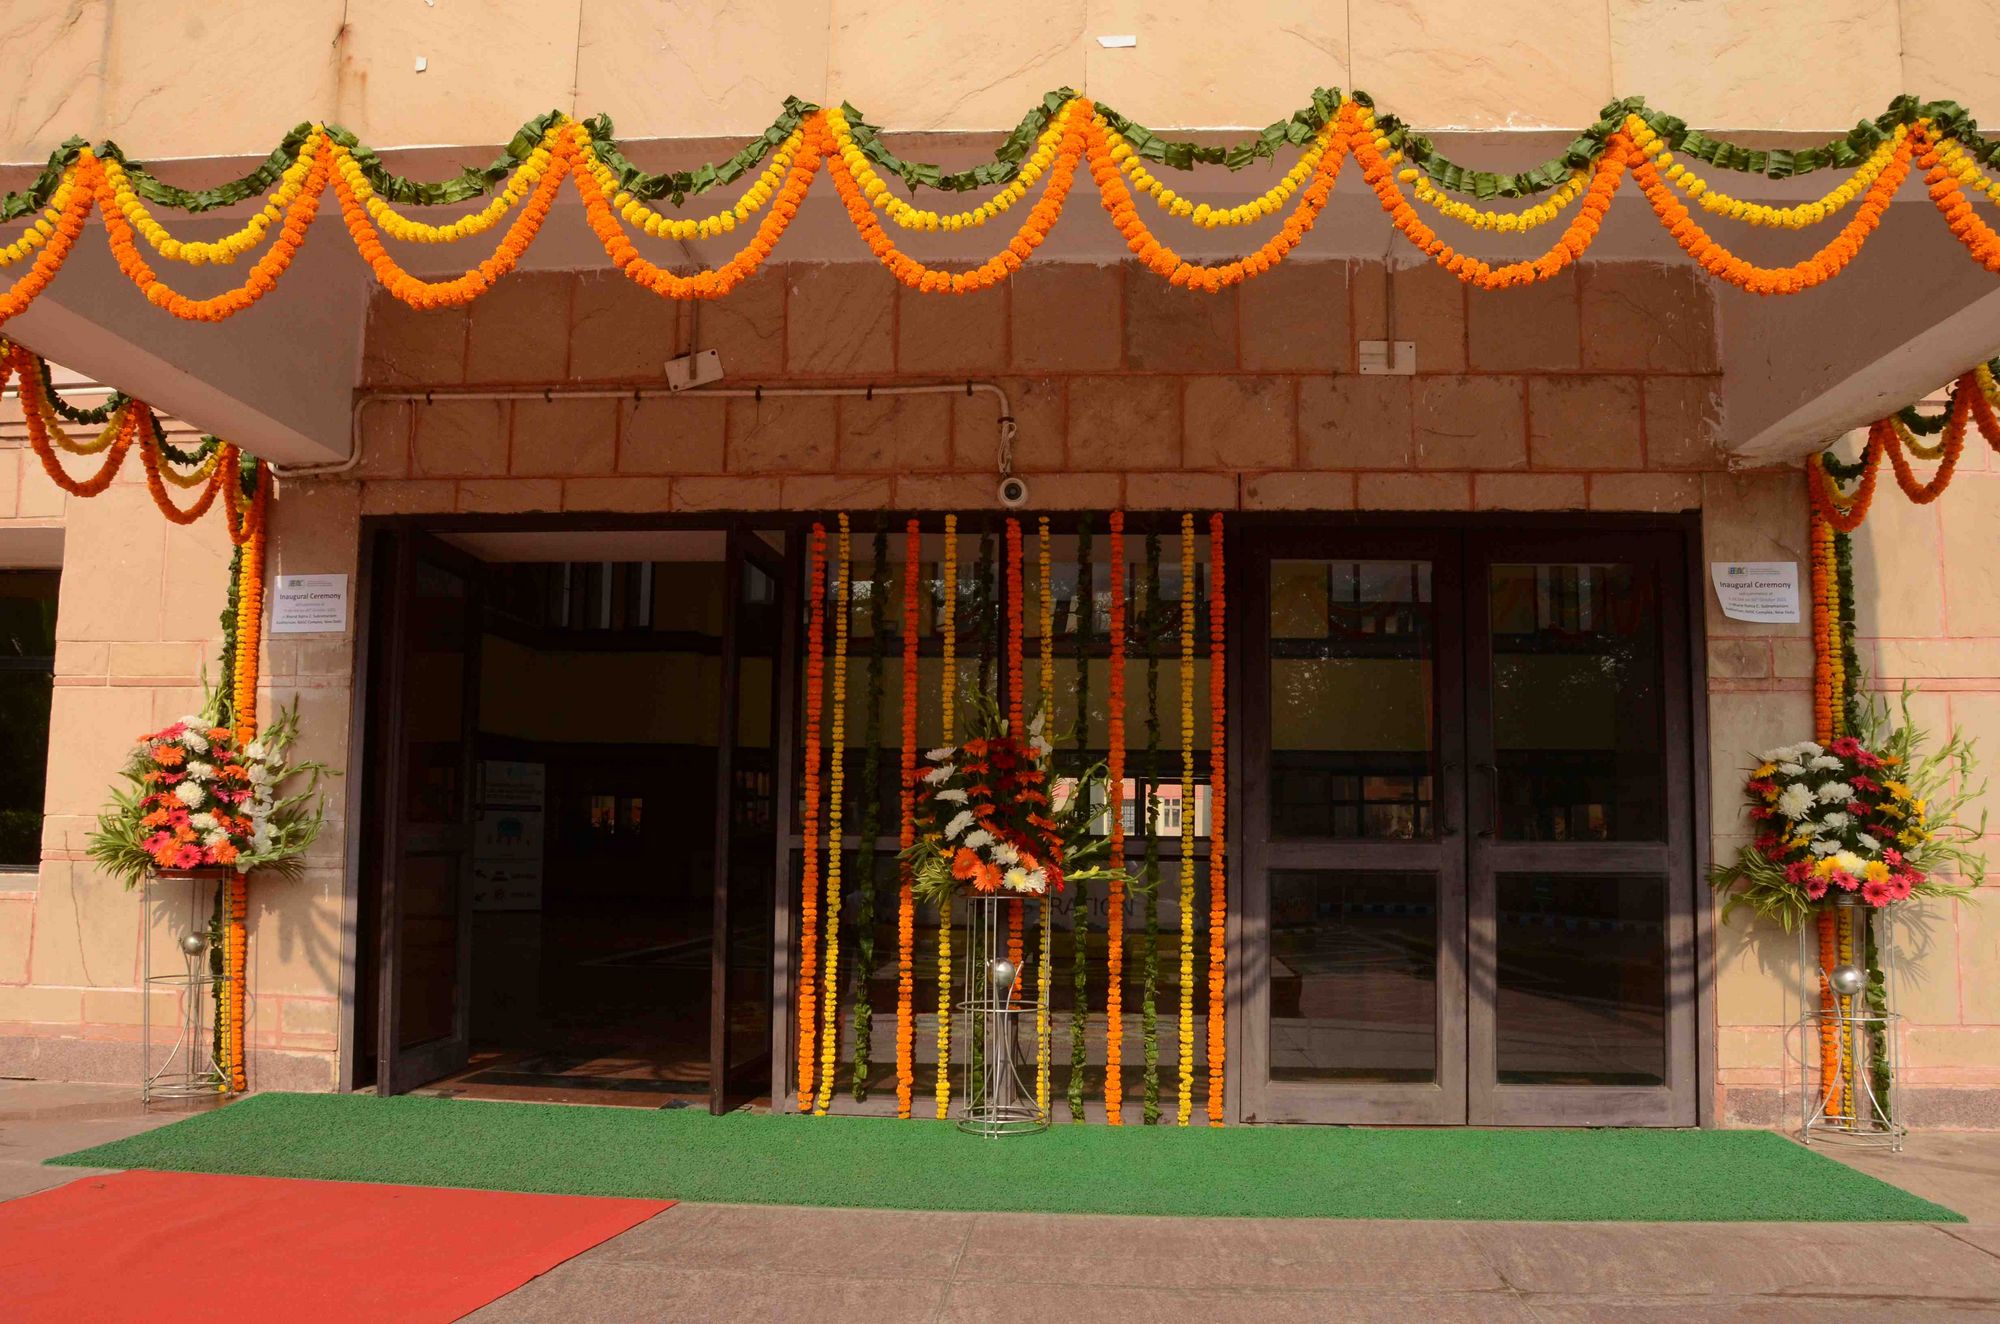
(1487, 723)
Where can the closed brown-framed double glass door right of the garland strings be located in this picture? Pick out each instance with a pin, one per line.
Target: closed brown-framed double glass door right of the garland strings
(1467, 829)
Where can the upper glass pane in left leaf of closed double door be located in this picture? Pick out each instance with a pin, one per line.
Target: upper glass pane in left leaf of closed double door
(1353, 731)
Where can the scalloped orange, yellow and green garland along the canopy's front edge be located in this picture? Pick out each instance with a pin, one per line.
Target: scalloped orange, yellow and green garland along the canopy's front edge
(1039, 161)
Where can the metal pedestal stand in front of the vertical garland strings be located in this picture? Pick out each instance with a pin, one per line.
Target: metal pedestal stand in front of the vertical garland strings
(999, 1099)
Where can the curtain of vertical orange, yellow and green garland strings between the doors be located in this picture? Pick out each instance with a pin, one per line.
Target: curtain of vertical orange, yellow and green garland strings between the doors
(995, 599)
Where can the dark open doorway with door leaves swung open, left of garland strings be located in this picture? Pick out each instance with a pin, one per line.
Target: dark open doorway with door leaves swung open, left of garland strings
(573, 769)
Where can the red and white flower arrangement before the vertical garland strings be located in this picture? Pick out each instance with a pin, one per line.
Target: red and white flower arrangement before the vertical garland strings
(991, 817)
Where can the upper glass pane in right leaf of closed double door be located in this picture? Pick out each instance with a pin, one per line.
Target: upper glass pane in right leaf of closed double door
(1579, 735)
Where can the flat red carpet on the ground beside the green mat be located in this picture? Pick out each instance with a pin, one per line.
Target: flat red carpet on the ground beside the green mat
(191, 1247)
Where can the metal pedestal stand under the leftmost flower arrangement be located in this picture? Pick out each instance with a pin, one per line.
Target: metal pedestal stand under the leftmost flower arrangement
(191, 1067)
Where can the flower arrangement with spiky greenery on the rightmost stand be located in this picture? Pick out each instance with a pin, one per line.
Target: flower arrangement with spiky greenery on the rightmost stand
(1867, 817)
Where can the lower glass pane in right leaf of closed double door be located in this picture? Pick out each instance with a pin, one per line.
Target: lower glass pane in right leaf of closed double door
(1581, 981)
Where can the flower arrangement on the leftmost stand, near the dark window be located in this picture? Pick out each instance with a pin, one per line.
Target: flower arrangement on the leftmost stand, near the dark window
(205, 799)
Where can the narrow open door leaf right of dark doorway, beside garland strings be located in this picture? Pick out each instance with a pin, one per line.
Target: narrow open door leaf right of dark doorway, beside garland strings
(749, 745)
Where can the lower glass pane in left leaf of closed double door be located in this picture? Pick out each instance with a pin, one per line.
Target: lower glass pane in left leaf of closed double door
(1353, 977)
